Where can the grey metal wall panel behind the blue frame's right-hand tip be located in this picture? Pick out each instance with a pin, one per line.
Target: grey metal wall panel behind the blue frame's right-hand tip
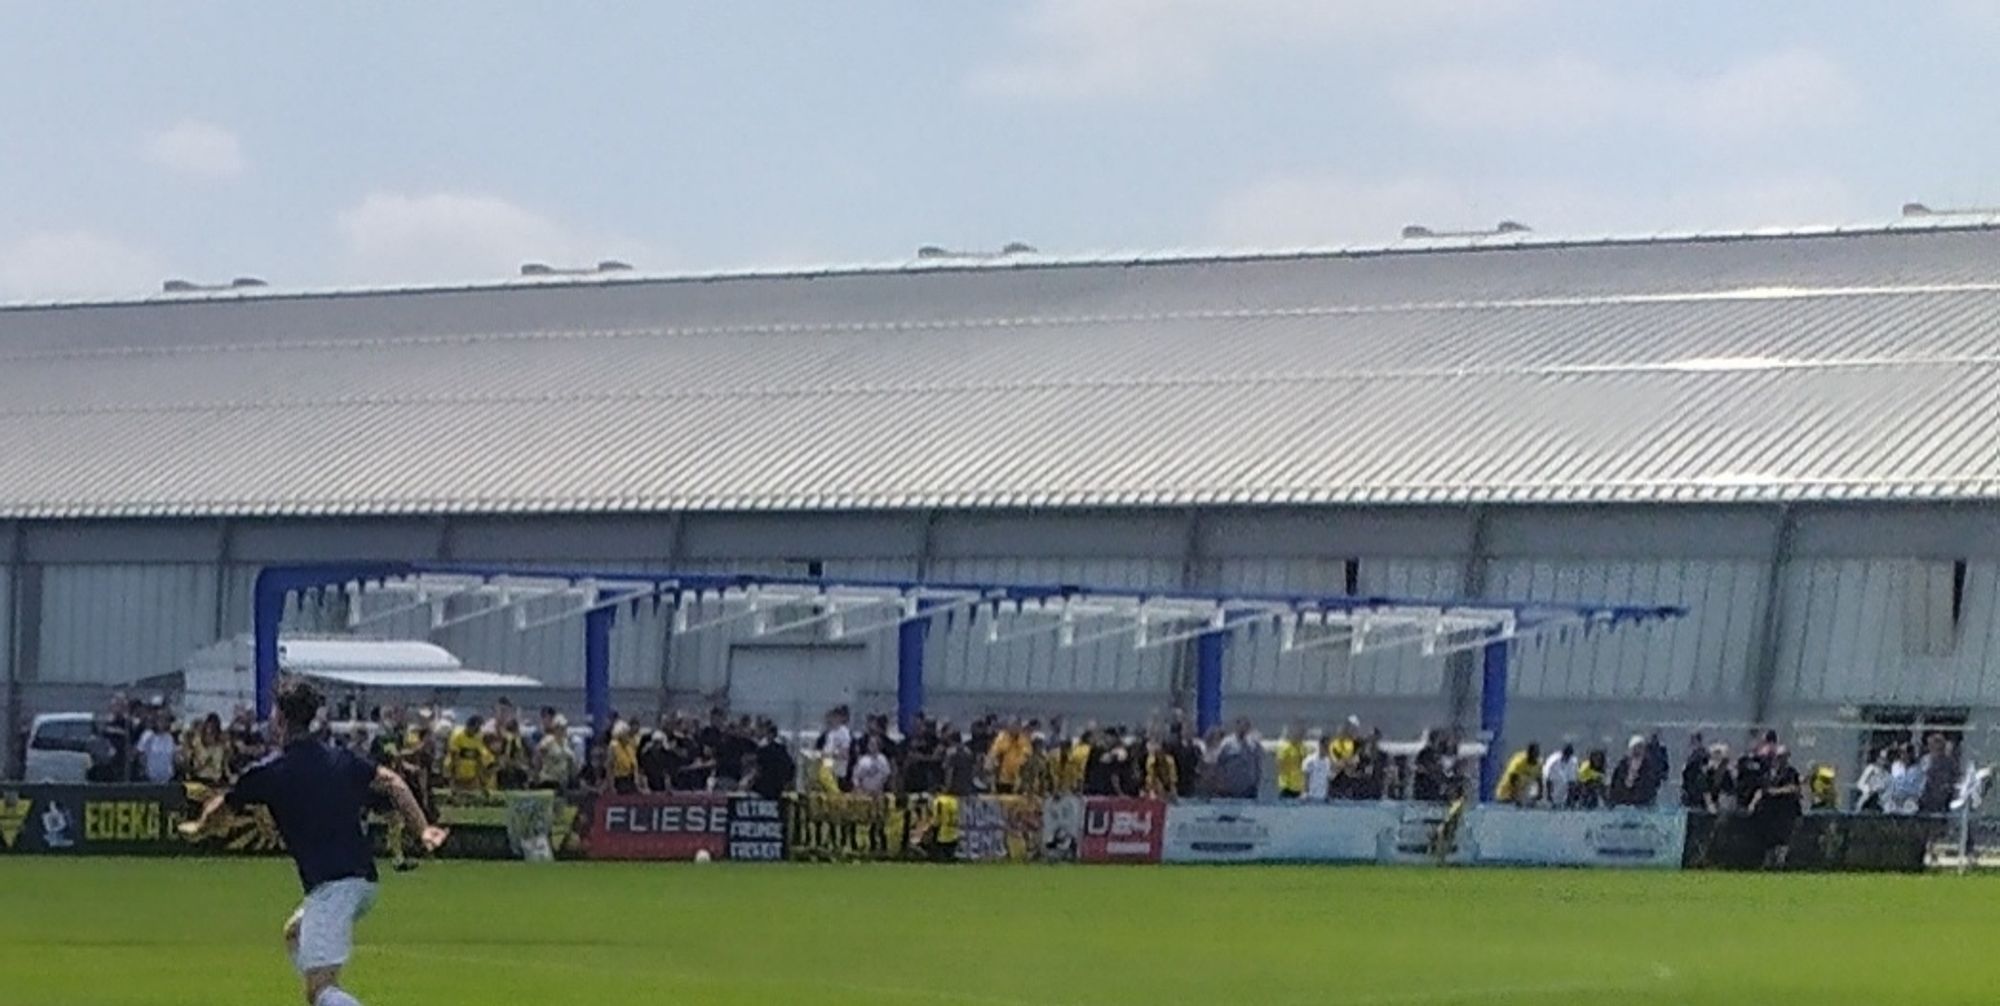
(1709, 653)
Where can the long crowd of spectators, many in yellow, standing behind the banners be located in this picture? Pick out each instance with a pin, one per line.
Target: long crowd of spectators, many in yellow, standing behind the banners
(995, 755)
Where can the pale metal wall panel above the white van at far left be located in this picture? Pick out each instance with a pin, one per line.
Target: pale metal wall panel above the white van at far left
(107, 625)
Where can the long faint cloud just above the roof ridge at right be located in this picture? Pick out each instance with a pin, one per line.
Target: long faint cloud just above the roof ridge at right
(1315, 211)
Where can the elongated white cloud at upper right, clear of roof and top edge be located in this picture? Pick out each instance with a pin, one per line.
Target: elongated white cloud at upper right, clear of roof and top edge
(1771, 93)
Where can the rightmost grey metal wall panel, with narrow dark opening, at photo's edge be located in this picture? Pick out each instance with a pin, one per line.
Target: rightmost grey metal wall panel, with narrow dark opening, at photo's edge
(1873, 631)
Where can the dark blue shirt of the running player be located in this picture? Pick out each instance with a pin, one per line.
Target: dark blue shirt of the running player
(317, 795)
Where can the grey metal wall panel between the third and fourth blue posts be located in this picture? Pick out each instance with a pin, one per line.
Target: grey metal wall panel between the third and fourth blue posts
(963, 661)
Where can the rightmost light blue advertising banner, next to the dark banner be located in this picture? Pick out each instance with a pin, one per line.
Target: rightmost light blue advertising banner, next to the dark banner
(1627, 837)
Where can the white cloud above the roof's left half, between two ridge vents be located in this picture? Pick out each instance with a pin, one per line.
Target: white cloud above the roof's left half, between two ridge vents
(393, 237)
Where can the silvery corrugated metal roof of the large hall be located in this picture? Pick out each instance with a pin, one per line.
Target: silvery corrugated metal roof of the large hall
(1805, 367)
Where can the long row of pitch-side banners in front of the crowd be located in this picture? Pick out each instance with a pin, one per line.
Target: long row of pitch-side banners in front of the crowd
(137, 821)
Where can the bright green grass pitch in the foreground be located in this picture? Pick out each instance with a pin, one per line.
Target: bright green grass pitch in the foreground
(205, 933)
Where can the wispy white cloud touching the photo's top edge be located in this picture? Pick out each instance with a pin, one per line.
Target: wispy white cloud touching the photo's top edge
(1097, 49)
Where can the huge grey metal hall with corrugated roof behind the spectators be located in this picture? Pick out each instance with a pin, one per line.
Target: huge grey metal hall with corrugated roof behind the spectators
(1795, 437)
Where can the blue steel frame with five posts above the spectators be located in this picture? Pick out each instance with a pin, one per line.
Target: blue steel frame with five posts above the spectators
(279, 583)
